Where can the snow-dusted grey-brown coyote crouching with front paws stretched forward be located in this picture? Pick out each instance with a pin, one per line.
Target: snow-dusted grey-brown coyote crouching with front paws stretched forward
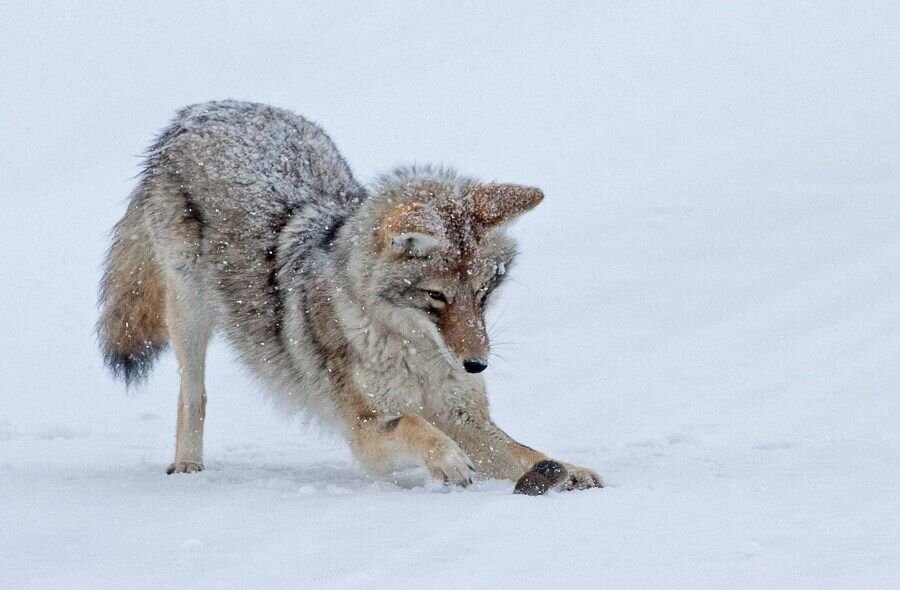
(362, 306)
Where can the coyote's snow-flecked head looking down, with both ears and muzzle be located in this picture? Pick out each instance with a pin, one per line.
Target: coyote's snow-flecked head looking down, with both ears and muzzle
(440, 250)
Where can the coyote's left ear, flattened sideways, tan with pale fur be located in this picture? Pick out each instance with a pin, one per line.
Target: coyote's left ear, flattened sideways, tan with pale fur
(410, 229)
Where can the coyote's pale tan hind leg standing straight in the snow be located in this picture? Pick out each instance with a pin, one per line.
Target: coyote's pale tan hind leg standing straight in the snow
(190, 327)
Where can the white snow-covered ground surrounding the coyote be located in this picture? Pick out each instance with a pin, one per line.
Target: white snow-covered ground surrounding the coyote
(707, 308)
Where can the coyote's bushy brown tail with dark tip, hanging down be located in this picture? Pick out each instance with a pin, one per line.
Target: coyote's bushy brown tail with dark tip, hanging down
(132, 326)
